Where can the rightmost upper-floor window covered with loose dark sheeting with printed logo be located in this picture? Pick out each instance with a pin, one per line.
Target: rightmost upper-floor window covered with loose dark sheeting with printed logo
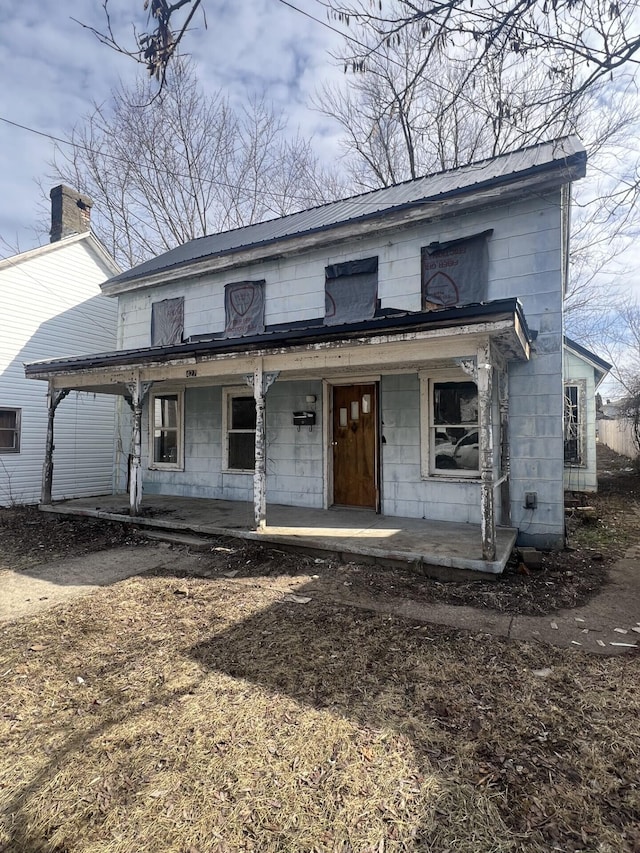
(455, 273)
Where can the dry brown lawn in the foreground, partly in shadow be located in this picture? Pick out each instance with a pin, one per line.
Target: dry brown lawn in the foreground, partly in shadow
(203, 715)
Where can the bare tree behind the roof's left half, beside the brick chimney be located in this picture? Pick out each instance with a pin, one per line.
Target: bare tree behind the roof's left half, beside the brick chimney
(187, 165)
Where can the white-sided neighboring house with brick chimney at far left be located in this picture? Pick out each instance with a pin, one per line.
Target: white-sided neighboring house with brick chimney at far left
(51, 306)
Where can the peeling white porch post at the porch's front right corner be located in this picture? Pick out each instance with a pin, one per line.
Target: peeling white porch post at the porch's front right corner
(485, 429)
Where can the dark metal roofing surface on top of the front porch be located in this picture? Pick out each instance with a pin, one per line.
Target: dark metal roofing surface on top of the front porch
(313, 331)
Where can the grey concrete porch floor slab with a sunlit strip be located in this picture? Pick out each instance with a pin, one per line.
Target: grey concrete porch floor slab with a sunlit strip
(351, 534)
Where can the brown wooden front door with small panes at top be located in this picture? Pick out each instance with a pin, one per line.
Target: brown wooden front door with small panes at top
(355, 445)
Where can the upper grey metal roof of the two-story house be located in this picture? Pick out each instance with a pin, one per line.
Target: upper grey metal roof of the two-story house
(565, 157)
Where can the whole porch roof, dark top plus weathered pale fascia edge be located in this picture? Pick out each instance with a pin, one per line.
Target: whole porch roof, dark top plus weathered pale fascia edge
(502, 320)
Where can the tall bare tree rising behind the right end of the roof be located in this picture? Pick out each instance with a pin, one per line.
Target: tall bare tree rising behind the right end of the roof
(414, 112)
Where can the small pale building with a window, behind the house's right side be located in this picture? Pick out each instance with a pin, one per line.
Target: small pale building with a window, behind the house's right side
(583, 373)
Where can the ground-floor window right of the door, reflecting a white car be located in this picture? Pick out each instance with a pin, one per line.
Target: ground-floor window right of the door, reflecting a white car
(450, 441)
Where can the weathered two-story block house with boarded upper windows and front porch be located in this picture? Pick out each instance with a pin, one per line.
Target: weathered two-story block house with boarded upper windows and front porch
(400, 351)
